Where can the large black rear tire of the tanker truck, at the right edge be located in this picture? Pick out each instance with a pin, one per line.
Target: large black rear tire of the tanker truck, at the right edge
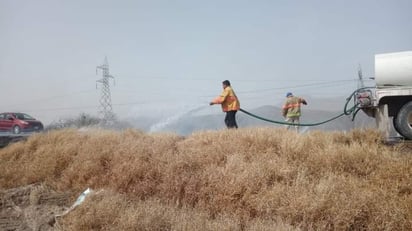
(403, 121)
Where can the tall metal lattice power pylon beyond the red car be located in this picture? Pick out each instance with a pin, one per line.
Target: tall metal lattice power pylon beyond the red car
(105, 107)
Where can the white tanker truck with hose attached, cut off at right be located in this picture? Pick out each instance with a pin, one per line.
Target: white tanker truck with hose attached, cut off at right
(391, 98)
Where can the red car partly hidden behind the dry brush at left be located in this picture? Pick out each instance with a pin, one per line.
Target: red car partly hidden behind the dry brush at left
(17, 122)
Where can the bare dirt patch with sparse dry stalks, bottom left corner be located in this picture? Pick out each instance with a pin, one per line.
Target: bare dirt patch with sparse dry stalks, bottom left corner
(32, 207)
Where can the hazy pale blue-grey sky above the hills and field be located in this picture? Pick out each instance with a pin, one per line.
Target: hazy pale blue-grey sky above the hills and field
(170, 56)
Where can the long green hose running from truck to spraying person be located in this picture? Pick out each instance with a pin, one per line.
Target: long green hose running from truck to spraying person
(353, 110)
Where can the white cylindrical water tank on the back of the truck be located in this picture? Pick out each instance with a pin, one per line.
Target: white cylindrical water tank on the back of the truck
(393, 69)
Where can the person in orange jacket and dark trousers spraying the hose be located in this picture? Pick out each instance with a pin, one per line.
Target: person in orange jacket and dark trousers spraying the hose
(230, 104)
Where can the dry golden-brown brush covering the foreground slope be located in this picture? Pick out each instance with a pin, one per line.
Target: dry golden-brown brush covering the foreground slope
(245, 179)
